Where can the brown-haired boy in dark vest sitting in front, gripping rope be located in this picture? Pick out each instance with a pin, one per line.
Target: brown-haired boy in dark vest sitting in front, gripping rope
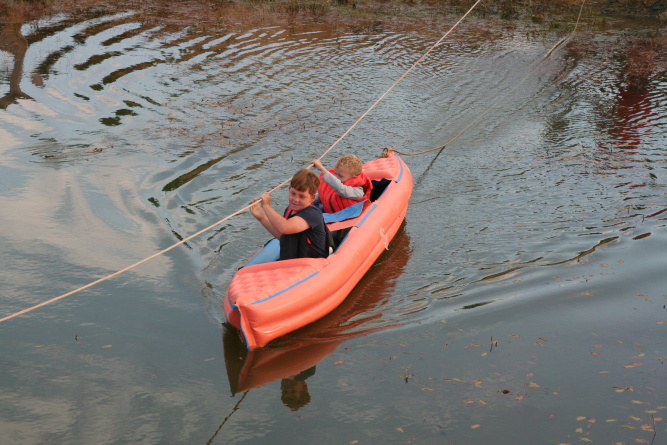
(301, 230)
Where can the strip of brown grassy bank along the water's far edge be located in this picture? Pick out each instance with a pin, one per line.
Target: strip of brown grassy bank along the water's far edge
(243, 13)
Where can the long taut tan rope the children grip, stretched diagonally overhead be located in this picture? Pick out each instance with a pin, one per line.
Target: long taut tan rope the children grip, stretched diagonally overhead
(183, 241)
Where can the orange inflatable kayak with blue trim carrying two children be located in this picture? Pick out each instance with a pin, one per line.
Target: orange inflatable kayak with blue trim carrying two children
(268, 300)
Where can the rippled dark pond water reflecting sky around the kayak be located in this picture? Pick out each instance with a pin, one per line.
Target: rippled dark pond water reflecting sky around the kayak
(522, 302)
